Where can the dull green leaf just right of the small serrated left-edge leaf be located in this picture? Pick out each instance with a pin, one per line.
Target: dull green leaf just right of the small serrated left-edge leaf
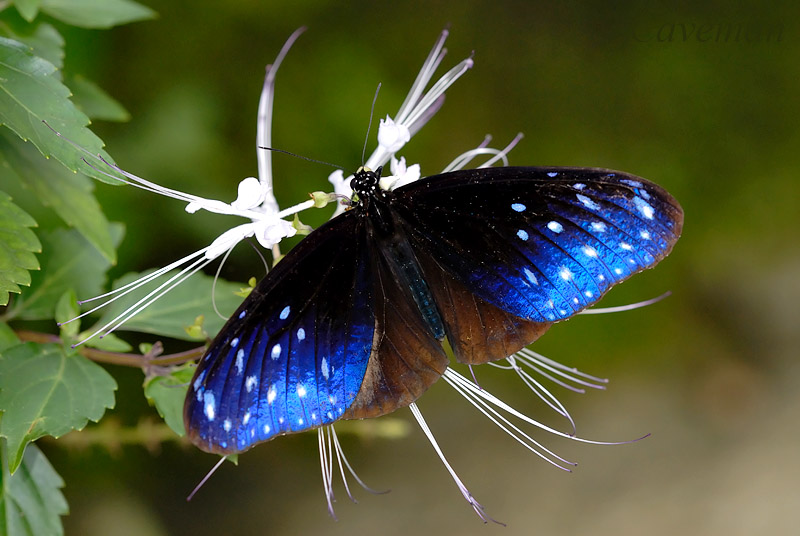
(68, 262)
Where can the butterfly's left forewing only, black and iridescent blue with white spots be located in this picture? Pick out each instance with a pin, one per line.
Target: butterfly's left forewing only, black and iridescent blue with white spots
(294, 355)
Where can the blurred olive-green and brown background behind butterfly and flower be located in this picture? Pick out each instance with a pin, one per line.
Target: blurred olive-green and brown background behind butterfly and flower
(711, 372)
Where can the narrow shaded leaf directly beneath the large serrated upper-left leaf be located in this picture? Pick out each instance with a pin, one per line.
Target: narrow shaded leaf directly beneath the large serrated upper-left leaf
(69, 194)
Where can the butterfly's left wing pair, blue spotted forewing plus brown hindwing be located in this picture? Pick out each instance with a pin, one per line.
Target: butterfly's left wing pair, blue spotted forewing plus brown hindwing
(330, 333)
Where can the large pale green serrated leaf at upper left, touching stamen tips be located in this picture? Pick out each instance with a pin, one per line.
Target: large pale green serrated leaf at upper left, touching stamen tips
(30, 93)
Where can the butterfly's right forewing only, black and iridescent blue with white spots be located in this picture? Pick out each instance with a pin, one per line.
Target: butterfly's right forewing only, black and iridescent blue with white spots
(540, 244)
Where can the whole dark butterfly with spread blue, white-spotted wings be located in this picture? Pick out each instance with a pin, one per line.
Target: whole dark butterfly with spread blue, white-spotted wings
(351, 322)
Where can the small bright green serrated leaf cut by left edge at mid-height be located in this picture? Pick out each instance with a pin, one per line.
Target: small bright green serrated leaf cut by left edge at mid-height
(17, 247)
